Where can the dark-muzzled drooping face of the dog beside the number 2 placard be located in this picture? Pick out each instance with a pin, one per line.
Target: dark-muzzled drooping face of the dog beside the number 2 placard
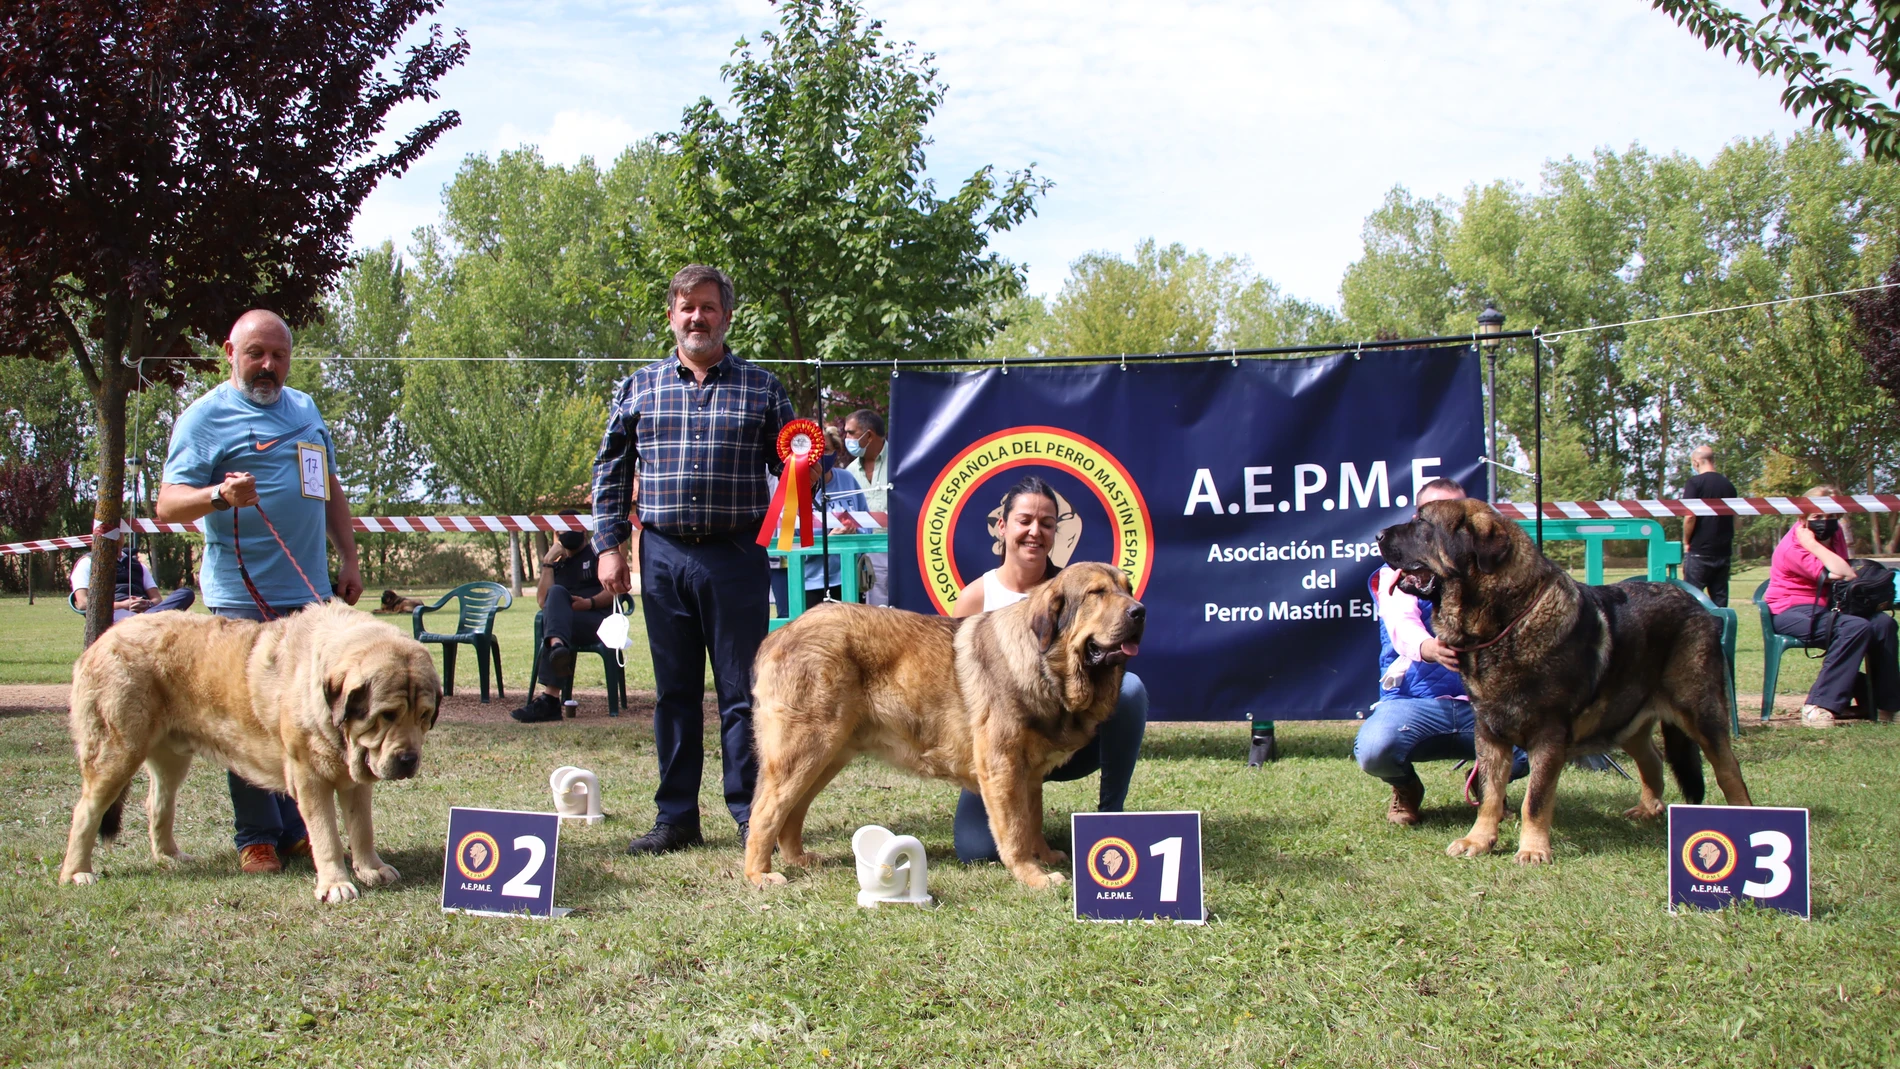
(383, 700)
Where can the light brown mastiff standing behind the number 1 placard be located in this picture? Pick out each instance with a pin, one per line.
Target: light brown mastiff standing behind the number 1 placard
(993, 703)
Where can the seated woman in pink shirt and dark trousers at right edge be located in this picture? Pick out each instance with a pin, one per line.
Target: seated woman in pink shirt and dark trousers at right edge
(1806, 559)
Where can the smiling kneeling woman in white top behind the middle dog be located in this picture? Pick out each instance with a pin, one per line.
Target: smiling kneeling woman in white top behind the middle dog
(1029, 533)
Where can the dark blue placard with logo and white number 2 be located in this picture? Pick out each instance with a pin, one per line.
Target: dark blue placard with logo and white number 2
(501, 863)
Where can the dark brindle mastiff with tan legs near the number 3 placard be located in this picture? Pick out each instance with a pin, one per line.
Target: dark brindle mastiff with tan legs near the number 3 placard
(1563, 669)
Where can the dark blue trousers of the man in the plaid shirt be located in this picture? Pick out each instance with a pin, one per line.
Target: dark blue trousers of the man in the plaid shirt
(704, 599)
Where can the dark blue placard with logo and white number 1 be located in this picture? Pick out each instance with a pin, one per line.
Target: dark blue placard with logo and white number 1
(1137, 867)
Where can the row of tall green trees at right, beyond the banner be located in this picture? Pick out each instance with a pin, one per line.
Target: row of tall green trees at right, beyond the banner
(1635, 236)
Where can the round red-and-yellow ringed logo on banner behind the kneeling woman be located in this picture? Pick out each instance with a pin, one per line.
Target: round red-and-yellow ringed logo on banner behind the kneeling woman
(1131, 531)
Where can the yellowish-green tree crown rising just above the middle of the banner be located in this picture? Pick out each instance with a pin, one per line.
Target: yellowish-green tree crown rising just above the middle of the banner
(1164, 301)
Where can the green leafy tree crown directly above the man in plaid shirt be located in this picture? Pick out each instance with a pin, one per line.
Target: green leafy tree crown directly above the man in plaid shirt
(812, 197)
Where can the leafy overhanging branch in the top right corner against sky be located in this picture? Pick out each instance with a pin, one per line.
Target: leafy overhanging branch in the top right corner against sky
(1798, 43)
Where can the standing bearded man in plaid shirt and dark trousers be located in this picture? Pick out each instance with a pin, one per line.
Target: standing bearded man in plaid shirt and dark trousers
(702, 430)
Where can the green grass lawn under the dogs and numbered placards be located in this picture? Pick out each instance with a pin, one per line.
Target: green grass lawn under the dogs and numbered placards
(1335, 941)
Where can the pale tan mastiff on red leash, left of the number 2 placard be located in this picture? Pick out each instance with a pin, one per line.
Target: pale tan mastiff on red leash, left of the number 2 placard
(320, 705)
